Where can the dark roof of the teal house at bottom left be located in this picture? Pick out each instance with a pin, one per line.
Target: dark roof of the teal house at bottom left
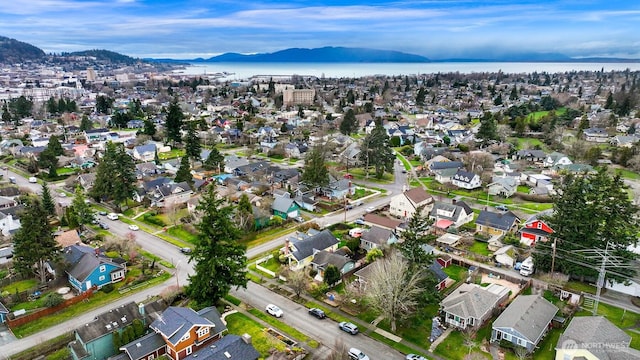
(109, 321)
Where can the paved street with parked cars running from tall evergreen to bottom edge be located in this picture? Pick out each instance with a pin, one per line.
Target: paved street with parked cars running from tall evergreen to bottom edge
(325, 331)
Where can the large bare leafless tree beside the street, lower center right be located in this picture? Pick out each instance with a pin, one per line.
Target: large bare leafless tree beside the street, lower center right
(392, 289)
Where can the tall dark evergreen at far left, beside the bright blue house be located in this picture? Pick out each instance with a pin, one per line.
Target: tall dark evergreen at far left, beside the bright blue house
(34, 244)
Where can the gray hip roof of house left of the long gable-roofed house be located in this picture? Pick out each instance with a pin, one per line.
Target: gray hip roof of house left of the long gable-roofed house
(471, 301)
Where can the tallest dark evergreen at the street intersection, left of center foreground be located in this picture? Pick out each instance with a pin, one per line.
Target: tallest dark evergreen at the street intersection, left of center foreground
(220, 260)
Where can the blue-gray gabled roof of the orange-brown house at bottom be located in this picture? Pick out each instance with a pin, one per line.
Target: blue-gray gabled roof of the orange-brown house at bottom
(175, 322)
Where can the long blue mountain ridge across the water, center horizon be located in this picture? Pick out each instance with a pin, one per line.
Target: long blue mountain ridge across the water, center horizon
(322, 55)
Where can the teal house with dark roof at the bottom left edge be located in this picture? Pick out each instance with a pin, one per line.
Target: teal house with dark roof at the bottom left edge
(94, 340)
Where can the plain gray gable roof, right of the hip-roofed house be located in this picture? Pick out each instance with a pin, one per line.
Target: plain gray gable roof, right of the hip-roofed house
(529, 315)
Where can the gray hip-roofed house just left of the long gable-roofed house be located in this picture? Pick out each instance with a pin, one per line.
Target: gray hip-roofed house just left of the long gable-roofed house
(471, 305)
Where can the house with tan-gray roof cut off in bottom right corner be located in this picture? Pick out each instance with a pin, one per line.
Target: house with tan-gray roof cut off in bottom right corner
(593, 338)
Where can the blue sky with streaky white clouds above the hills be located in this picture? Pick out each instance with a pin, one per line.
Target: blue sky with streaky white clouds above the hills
(437, 29)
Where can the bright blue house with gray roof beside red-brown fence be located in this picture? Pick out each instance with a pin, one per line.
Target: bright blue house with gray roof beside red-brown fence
(90, 268)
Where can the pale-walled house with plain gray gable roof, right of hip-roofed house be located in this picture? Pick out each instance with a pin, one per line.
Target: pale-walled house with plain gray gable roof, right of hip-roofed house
(524, 322)
